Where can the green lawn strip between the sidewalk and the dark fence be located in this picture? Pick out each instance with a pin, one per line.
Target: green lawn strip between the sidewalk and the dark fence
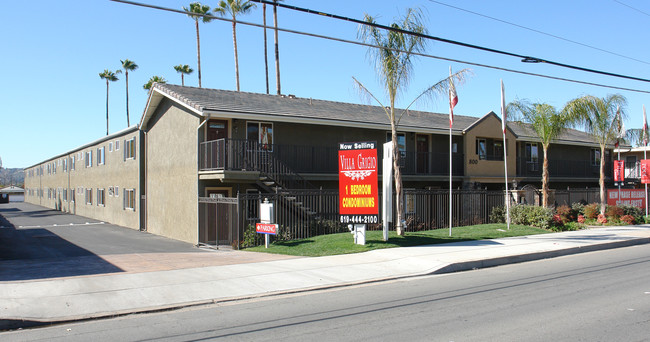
(343, 243)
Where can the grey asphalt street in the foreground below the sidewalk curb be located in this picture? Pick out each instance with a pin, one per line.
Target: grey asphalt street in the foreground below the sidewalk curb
(598, 296)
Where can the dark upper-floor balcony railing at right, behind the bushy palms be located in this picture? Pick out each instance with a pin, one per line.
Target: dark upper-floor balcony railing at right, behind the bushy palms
(561, 168)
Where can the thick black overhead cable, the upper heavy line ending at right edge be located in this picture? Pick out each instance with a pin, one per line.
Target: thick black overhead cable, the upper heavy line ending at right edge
(524, 58)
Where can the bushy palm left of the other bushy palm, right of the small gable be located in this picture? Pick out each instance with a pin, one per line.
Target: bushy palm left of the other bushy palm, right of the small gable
(547, 124)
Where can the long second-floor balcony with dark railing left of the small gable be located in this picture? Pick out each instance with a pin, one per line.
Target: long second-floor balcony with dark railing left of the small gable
(245, 155)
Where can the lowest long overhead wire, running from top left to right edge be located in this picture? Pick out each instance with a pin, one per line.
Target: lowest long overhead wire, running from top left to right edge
(347, 41)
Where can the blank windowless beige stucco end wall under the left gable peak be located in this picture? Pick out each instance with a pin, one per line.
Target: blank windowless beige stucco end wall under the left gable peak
(171, 173)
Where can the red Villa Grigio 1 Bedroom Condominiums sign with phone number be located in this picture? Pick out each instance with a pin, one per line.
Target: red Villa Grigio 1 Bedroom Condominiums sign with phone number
(358, 183)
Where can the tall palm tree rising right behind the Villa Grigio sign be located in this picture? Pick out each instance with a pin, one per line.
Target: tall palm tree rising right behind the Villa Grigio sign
(394, 66)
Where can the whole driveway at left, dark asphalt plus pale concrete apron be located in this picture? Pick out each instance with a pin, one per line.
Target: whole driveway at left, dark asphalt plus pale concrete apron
(38, 243)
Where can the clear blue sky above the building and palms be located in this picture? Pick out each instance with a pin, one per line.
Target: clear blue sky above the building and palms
(53, 99)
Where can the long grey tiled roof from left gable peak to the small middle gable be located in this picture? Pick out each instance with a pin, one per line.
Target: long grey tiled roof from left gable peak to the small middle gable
(245, 105)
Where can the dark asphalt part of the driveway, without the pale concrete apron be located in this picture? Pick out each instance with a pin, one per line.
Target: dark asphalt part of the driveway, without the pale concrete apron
(37, 243)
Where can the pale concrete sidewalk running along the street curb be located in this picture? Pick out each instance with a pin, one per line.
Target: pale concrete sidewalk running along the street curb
(32, 302)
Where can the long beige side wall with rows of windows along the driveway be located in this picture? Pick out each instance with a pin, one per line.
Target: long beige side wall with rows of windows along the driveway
(116, 172)
